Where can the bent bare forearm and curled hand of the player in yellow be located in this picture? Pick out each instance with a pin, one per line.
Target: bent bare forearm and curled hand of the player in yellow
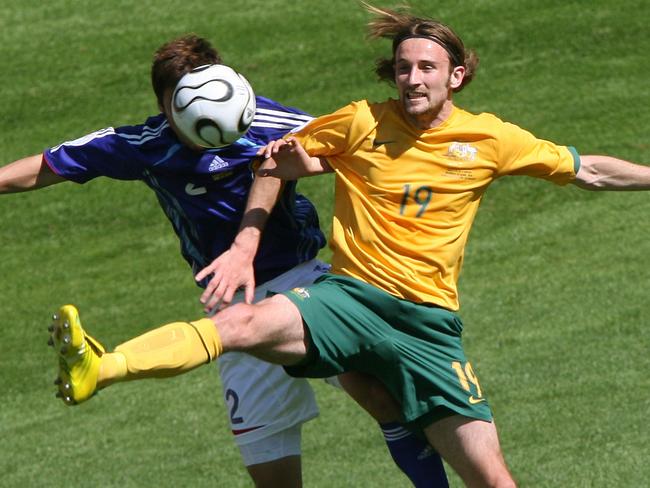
(288, 160)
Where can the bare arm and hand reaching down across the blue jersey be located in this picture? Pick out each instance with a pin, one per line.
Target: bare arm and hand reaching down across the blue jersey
(234, 268)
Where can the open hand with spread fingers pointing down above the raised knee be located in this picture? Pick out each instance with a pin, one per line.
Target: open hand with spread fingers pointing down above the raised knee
(230, 272)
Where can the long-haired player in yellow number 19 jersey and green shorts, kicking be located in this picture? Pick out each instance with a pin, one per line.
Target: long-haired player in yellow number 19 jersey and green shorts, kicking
(410, 174)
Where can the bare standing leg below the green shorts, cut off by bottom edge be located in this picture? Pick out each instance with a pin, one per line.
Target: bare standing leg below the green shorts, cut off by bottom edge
(472, 448)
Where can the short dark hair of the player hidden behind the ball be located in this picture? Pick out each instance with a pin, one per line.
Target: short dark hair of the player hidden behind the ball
(178, 57)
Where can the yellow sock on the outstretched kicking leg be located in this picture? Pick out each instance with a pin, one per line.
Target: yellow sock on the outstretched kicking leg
(166, 351)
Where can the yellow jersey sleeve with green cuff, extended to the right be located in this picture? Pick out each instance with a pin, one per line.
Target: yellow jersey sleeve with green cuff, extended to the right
(521, 153)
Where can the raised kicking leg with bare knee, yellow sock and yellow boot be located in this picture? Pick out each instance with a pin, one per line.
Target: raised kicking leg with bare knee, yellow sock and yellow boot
(271, 330)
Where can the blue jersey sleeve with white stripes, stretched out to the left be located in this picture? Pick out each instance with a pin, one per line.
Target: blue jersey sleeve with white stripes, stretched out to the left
(101, 153)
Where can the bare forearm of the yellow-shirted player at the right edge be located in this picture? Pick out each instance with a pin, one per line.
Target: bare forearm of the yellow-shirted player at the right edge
(608, 173)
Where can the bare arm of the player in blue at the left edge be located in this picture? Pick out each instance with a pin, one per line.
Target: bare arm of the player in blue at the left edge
(26, 174)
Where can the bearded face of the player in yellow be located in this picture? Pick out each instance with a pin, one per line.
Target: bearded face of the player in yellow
(425, 81)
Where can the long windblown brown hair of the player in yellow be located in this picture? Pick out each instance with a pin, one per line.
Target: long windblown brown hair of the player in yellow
(399, 25)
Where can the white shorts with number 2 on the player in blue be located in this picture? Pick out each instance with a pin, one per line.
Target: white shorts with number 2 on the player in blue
(261, 399)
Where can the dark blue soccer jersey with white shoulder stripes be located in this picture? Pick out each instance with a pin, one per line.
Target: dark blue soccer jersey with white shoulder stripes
(202, 193)
